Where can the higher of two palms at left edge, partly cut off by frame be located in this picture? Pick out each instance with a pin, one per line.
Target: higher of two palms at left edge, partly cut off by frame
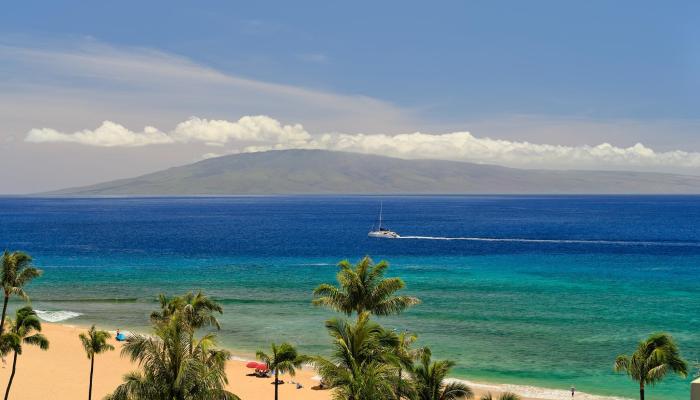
(17, 271)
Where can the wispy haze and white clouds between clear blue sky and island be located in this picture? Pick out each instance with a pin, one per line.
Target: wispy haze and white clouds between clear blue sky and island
(98, 111)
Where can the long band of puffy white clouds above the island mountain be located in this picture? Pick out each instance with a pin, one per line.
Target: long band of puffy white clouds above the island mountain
(260, 133)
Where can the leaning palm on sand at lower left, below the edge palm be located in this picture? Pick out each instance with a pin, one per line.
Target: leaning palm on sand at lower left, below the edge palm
(25, 329)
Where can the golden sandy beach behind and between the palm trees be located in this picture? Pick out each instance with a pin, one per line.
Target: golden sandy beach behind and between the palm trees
(63, 374)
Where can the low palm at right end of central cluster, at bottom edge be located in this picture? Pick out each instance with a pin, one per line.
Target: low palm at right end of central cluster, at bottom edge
(429, 378)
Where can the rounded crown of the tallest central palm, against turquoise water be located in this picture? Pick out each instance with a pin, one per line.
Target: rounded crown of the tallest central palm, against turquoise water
(363, 288)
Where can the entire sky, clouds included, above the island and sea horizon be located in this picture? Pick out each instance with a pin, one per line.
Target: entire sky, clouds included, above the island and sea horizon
(94, 91)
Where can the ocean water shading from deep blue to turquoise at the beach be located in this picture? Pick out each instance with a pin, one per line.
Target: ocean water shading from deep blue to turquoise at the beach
(568, 283)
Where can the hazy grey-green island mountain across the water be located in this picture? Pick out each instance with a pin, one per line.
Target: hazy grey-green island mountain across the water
(327, 172)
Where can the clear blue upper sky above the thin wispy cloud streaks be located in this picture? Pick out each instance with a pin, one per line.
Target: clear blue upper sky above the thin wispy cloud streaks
(454, 58)
